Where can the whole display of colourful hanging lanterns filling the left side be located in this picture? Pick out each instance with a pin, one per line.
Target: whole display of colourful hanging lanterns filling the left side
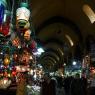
(19, 56)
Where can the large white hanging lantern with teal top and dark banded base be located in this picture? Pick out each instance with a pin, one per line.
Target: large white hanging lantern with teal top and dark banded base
(22, 16)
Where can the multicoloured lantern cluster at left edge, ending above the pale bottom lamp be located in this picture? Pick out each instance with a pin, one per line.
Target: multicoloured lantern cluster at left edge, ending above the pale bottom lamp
(6, 60)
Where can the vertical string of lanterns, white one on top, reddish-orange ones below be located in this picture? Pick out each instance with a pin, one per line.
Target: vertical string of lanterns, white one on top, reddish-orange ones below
(22, 39)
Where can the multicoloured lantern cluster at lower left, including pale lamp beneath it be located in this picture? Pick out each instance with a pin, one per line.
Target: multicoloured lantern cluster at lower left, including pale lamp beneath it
(7, 68)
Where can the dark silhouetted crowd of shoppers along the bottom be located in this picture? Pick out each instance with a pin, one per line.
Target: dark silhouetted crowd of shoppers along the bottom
(57, 85)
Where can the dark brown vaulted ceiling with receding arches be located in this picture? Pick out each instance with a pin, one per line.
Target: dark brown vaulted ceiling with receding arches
(62, 28)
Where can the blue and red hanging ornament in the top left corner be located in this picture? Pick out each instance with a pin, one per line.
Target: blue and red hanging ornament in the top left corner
(4, 19)
